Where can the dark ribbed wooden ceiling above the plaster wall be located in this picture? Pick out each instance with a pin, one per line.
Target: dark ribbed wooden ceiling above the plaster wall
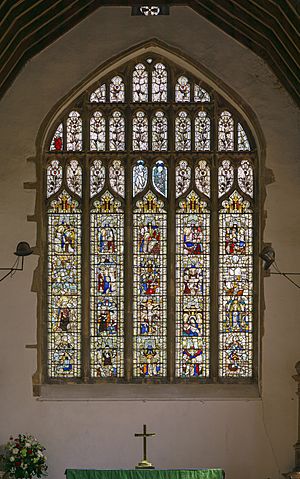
(270, 28)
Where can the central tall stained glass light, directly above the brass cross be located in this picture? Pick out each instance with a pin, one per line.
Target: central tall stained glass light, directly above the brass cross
(150, 288)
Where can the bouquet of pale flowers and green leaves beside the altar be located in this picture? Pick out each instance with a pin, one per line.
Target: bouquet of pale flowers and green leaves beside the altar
(24, 458)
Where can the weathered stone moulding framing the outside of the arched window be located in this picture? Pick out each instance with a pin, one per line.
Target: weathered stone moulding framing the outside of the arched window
(129, 391)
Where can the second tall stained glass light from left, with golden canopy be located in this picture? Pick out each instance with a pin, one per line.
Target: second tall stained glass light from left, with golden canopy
(107, 288)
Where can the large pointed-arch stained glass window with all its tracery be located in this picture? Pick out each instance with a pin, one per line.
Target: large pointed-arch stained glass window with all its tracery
(150, 202)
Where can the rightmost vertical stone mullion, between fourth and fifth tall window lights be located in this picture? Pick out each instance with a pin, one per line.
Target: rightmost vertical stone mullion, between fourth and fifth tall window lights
(214, 256)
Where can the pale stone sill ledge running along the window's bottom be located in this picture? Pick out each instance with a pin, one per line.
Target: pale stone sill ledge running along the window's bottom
(149, 392)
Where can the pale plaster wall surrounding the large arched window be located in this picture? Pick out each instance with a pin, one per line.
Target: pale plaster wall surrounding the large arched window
(251, 439)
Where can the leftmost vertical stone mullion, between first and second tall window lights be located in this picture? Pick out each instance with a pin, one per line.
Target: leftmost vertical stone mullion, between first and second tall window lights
(85, 271)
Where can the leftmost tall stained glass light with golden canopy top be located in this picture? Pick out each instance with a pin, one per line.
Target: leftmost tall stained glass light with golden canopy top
(64, 288)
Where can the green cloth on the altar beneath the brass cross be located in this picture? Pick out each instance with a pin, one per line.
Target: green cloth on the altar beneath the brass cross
(145, 474)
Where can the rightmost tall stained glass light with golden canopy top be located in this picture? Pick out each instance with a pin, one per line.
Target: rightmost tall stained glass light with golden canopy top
(235, 288)
